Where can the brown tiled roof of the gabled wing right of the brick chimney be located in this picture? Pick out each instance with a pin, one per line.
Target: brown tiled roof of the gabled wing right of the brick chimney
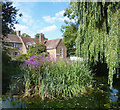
(52, 44)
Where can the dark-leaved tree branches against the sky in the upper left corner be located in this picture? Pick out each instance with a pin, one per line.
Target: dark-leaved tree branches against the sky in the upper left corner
(9, 13)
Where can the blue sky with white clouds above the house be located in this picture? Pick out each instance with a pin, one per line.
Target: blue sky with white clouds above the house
(41, 17)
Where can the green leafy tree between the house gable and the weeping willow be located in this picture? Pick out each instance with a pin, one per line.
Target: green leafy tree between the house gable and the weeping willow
(70, 31)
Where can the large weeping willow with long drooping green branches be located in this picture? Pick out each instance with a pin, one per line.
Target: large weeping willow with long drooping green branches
(98, 35)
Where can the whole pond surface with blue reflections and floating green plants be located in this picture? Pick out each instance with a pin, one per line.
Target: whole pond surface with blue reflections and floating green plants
(101, 97)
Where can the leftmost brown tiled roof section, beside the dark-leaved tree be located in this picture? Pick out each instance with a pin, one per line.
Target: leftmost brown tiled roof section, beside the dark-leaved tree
(12, 38)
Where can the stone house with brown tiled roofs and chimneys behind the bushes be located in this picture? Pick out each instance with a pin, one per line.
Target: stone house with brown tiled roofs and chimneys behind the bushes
(20, 45)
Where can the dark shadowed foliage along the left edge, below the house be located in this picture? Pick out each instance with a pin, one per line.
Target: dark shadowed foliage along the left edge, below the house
(9, 69)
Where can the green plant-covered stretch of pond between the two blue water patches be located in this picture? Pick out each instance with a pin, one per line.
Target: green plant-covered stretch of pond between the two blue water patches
(88, 100)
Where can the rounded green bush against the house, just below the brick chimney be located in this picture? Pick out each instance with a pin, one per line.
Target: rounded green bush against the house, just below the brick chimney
(36, 49)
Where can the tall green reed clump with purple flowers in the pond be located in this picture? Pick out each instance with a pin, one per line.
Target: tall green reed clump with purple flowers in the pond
(47, 78)
